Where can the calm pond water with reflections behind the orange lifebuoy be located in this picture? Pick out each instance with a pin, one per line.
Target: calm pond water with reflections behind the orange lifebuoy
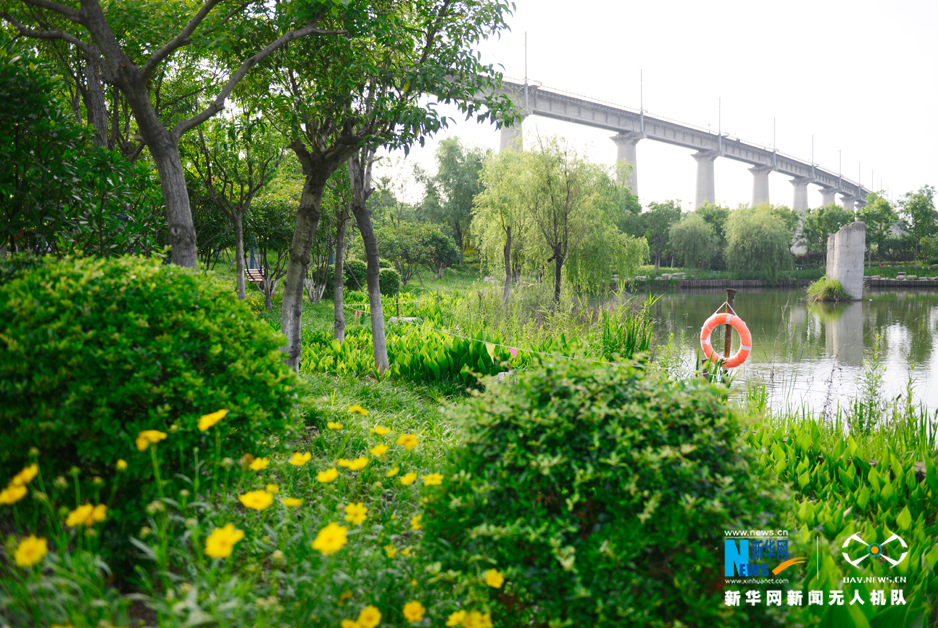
(814, 354)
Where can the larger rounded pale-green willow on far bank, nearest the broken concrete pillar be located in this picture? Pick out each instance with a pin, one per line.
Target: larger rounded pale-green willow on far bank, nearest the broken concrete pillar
(757, 241)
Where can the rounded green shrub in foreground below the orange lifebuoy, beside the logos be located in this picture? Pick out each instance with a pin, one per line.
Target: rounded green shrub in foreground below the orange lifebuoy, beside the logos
(601, 494)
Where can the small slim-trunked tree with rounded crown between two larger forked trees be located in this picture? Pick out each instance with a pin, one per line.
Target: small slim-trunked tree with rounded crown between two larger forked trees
(234, 158)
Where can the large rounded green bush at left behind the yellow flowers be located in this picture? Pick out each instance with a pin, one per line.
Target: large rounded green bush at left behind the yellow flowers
(95, 352)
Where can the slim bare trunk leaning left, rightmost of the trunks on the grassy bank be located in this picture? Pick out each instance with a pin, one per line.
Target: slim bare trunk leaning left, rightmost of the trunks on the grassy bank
(359, 166)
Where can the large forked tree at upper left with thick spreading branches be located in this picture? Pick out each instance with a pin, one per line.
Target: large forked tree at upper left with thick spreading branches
(129, 46)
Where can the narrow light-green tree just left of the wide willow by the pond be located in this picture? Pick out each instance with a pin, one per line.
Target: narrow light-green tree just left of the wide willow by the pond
(450, 193)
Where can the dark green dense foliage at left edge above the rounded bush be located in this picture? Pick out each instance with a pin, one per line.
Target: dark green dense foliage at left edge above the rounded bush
(59, 193)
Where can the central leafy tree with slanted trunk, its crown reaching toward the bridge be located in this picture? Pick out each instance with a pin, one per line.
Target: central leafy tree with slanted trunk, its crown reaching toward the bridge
(377, 87)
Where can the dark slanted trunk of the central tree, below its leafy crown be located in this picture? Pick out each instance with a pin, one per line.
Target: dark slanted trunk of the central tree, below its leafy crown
(307, 220)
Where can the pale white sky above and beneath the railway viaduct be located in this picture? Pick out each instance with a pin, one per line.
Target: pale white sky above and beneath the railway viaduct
(860, 76)
